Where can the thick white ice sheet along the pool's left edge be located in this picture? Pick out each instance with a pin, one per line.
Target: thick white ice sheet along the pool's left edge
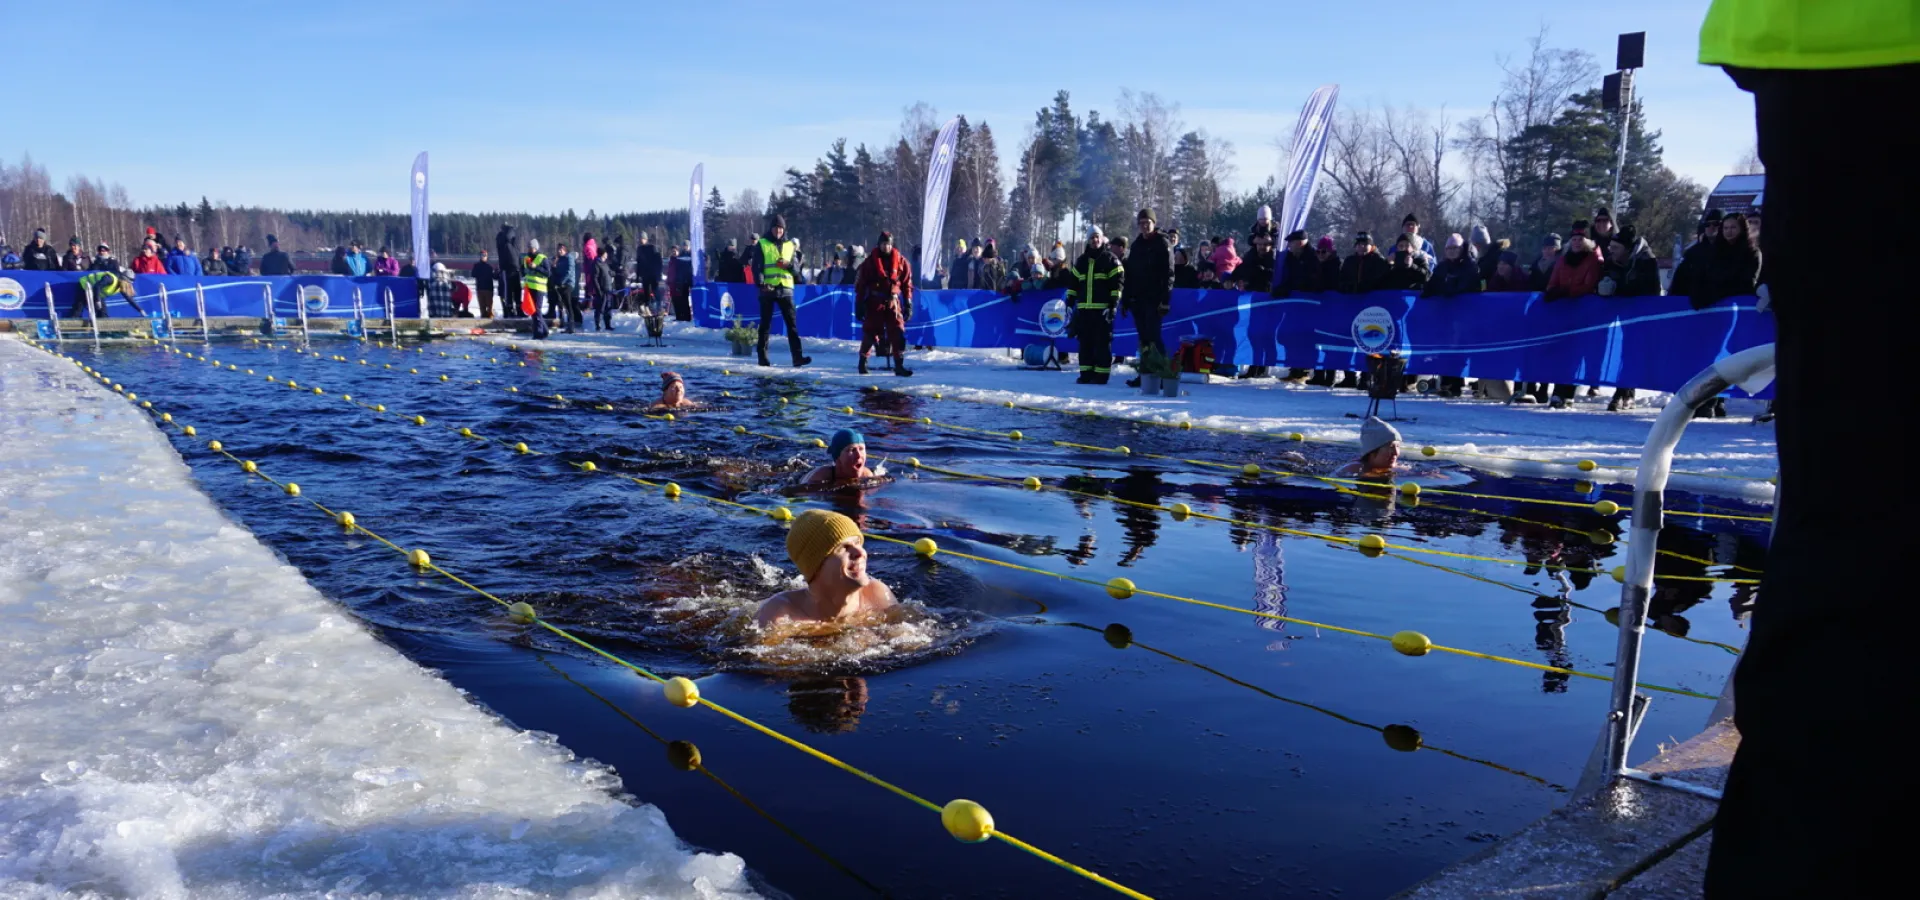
(185, 717)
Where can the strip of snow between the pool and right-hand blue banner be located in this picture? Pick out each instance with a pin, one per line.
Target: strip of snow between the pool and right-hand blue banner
(1550, 442)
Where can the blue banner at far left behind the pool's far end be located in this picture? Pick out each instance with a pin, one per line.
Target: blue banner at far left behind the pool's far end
(327, 296)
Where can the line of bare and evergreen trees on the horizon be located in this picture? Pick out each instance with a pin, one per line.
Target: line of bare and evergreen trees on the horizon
(1535, 160)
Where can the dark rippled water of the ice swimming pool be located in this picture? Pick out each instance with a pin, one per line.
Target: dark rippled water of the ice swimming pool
(1186, 753)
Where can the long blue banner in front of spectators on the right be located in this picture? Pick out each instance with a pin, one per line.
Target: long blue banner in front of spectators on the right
(1639, 343)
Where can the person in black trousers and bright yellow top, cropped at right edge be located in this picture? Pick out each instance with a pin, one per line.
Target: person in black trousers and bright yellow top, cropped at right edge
(1813, 690)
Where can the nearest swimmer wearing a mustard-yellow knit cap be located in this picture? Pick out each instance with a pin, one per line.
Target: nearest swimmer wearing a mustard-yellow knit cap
(830, 554)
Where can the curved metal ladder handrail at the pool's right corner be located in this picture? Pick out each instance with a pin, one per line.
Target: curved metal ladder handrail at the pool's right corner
(1750, 369)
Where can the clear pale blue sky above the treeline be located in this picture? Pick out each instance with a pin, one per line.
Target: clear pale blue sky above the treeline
(610, 105)
